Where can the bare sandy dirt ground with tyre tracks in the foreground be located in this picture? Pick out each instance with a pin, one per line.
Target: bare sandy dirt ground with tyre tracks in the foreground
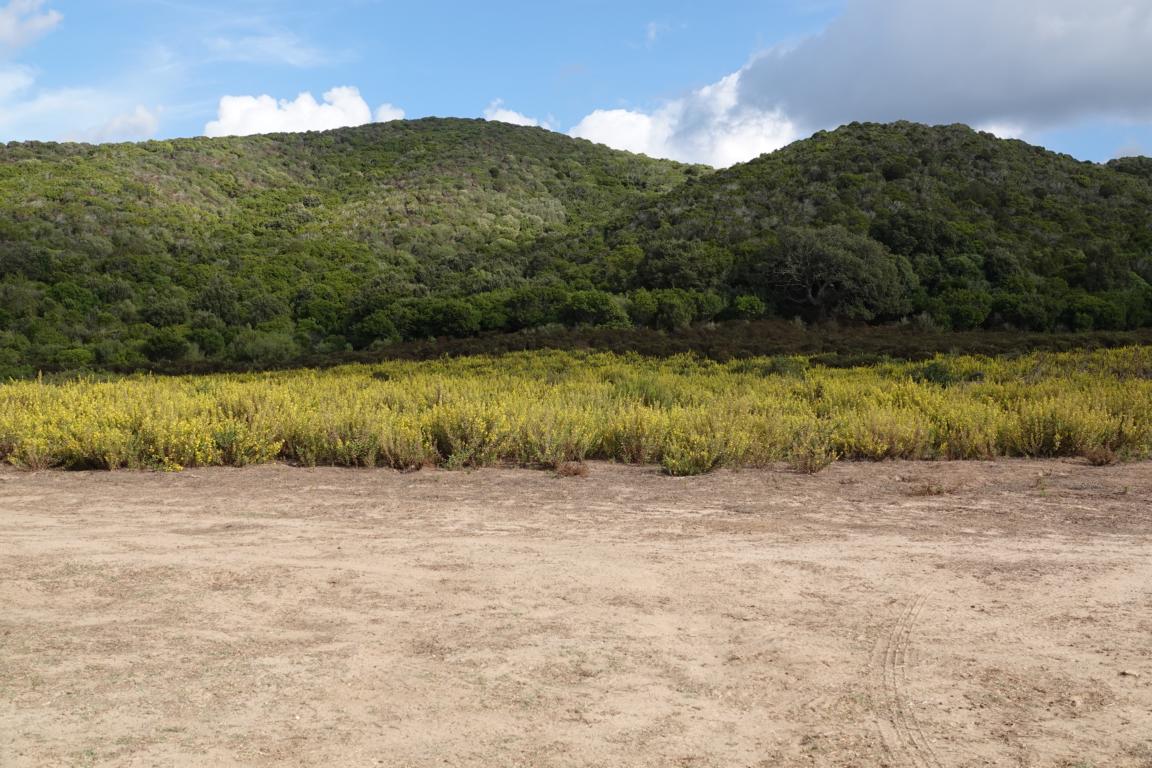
(905, 615)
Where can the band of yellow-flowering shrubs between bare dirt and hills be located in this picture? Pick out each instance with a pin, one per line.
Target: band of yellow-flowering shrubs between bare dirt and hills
(545, 409)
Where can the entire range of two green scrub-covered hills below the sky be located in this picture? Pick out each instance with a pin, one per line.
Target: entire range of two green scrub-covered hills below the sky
(264, 249)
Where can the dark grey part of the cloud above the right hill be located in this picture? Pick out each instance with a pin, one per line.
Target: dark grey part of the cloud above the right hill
(1027, 64)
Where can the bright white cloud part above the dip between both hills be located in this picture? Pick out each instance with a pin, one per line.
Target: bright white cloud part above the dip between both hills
(709, 126)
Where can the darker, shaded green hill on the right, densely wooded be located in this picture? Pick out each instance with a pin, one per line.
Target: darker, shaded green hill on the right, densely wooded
(881, 223)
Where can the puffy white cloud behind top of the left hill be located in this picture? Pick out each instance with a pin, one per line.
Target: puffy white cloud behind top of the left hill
(343, 108)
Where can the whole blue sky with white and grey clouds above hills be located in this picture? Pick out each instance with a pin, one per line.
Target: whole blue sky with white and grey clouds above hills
(714, 82)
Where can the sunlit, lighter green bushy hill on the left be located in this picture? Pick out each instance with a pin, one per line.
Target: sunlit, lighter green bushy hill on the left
(266, 248)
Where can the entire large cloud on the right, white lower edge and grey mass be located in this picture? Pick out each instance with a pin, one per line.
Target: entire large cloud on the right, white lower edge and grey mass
(1011, 69)
